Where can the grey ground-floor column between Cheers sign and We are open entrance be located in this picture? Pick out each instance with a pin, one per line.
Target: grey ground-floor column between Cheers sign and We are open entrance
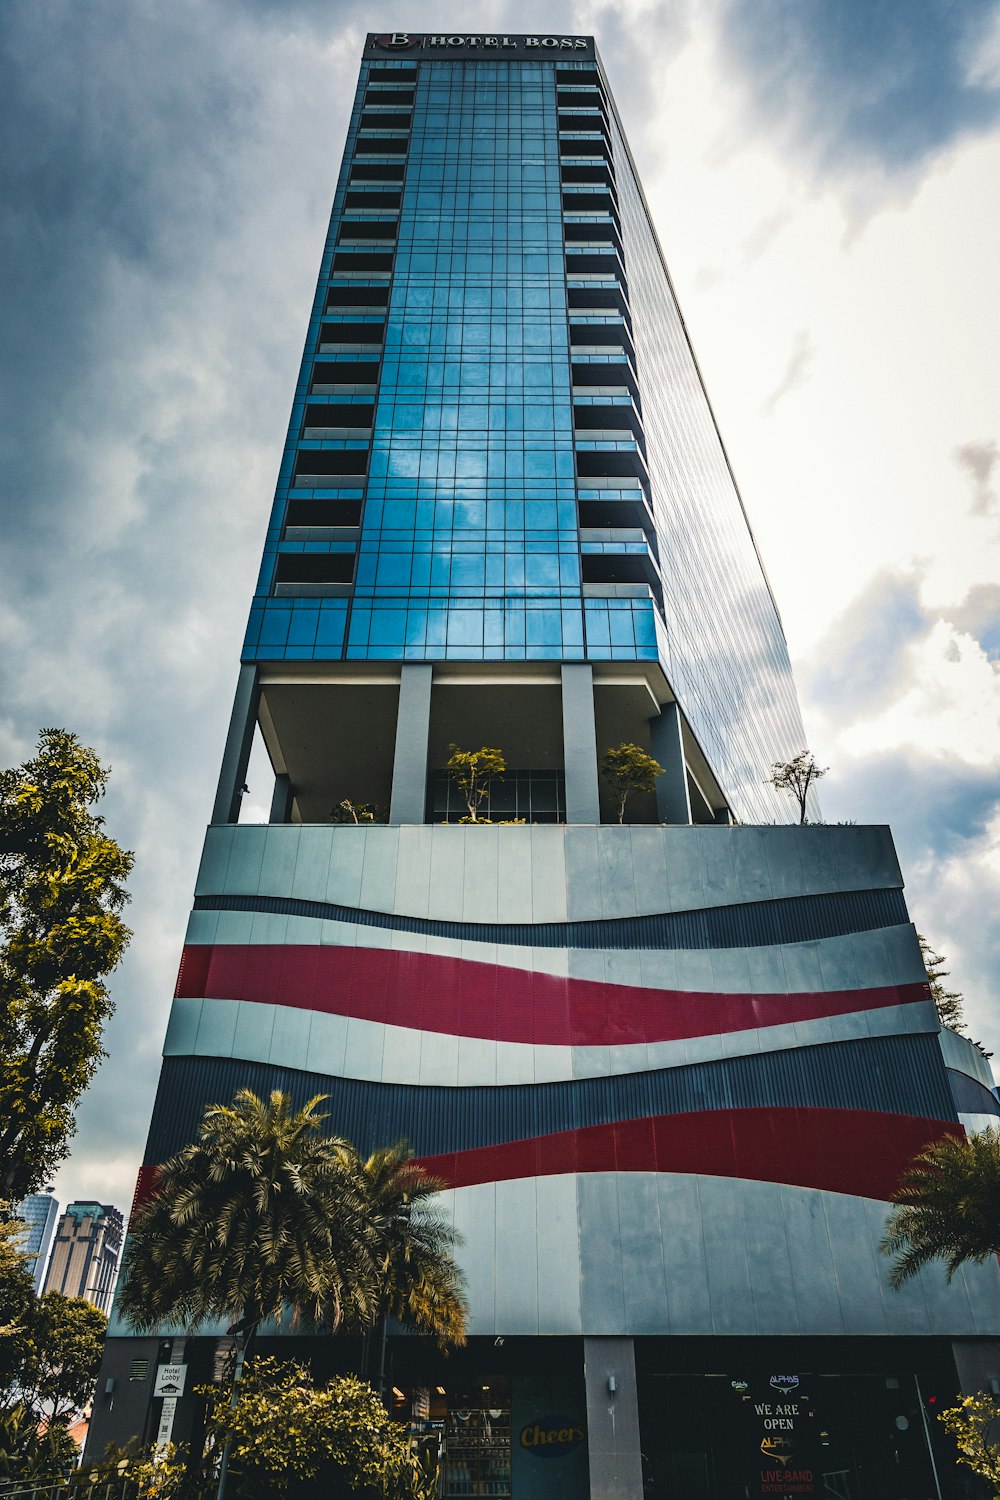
(612, 1420)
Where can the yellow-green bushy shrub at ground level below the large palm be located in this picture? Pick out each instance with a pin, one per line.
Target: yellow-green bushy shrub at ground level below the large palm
(287, 1432)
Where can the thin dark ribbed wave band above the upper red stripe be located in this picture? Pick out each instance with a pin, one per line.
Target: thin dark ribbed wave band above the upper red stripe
(750, 925)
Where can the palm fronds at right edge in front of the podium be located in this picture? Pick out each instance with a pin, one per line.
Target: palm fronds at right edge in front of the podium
(947, 1207)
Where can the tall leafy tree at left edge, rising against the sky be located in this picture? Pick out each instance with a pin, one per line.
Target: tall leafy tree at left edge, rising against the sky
(62, 890)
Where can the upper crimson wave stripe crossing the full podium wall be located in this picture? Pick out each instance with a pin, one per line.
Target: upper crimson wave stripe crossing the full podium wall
(466, 998)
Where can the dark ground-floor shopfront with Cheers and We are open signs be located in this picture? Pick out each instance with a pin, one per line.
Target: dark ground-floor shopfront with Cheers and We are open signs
(635, 1420)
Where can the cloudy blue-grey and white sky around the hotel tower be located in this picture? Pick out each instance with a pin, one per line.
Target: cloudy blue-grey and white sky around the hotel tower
(824, 179)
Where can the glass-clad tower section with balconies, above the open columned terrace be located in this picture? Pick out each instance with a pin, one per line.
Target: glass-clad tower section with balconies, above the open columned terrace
(500, 448)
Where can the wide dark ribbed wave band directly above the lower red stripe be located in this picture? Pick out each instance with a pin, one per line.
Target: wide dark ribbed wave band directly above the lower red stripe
(882, 1075)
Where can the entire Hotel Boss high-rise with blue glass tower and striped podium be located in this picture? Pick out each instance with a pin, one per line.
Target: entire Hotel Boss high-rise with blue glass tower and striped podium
(671, 1069)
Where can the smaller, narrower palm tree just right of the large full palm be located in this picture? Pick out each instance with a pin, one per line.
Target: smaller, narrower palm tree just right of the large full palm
(421, 1283)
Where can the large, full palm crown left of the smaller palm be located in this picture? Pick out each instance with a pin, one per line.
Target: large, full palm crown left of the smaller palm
(262, 1214)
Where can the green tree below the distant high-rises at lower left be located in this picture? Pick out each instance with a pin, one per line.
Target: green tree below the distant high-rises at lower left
(61, 1357)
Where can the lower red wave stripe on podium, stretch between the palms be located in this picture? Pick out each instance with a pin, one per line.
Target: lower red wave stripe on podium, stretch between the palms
(843, 1151)
